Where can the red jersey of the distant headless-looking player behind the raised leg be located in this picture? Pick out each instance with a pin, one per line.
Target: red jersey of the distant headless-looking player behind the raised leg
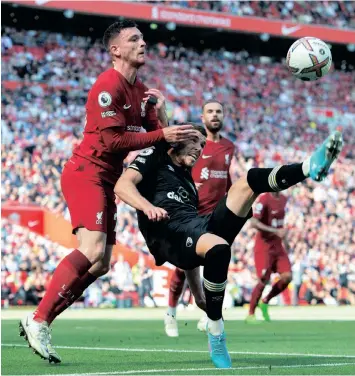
(270, 211)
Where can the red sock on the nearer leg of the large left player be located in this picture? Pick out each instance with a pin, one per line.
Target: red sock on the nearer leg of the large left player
(65, 278)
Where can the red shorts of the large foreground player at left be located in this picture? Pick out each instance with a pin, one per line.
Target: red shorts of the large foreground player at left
(90, 199)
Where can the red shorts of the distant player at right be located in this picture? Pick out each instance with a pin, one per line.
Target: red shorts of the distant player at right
(271, 261)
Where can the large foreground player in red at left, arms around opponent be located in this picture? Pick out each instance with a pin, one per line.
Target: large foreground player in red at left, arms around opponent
(118, 107)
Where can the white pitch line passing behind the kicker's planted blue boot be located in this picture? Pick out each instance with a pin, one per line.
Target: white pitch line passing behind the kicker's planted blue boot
(124, 349)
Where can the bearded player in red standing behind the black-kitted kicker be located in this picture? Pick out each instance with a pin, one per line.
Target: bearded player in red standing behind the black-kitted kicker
(212, 179)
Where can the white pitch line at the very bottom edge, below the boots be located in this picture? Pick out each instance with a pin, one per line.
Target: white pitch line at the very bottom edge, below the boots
(210, 369)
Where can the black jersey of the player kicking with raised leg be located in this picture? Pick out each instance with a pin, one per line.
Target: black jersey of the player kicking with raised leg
(170, 187)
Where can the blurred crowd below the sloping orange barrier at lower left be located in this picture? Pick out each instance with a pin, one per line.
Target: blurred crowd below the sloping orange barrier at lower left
(29, 259)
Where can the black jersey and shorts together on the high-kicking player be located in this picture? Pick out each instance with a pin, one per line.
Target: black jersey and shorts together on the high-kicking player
(171, 187)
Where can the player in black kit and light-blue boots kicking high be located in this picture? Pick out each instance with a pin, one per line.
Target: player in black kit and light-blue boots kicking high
(159, 185)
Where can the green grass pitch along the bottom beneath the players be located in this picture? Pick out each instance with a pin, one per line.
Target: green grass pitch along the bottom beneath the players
(253, 343)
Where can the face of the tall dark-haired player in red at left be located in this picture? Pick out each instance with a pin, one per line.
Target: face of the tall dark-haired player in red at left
(130, 47)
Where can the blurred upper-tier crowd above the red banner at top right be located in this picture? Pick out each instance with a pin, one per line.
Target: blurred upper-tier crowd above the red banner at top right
(336, 13)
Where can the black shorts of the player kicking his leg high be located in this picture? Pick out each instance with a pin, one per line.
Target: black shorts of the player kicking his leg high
(177, 243)
